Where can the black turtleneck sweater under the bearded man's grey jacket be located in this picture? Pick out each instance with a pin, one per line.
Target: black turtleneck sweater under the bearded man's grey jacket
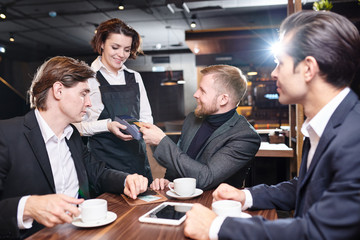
(208, 126)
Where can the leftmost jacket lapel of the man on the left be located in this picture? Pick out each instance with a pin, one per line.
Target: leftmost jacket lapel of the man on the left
(36, 141)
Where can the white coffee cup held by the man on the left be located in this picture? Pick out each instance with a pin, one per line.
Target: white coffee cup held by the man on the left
(93, 210)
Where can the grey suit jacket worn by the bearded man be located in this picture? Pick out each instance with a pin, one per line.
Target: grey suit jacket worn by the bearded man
(224, 157)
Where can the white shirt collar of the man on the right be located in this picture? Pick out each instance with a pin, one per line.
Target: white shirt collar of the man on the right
(320, 120)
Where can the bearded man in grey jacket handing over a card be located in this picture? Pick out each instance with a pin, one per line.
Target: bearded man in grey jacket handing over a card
(216, 143)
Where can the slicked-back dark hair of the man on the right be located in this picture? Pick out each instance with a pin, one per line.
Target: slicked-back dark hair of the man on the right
(328, 37)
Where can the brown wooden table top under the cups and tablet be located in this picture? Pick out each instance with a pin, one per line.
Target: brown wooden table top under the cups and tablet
(127, 226)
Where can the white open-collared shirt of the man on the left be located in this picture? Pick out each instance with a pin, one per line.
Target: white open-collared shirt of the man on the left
(62, 166)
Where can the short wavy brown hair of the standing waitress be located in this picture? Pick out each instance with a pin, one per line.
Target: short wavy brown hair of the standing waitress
(115, 25)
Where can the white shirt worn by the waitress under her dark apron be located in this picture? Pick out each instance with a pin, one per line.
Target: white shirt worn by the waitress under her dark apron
(90, 124)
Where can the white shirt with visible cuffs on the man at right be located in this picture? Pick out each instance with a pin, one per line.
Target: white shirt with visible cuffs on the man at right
(312, 128)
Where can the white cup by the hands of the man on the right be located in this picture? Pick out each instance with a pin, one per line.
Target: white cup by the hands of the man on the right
(227, 208)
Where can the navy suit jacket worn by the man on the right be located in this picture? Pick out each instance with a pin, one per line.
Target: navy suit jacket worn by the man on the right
(326, 197)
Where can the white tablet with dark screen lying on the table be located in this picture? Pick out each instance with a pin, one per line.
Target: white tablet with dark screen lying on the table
(170, 213)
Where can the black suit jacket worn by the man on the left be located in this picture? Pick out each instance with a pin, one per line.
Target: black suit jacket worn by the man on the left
(25, 170)
